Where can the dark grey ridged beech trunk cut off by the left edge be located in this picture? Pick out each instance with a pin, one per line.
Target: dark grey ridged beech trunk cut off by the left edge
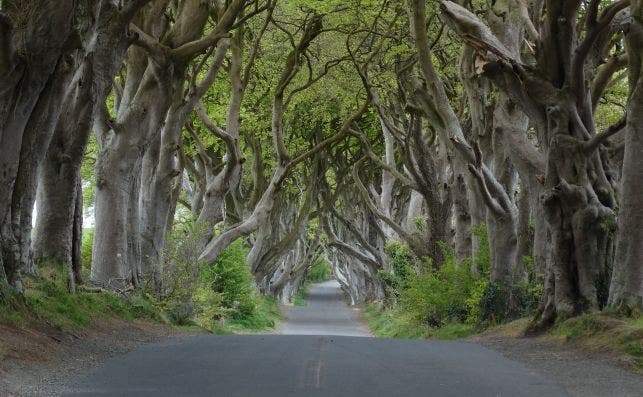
(34, 38)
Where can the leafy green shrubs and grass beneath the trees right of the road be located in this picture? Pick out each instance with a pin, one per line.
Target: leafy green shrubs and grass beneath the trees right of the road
(458, 293)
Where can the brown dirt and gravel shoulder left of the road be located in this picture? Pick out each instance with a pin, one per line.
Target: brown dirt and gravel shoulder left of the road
(39, 359)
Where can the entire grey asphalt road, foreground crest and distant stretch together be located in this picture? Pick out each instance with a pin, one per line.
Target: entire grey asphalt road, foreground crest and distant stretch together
(328, 363)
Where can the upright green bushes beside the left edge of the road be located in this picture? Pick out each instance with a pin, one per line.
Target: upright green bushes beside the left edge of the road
(219, 296)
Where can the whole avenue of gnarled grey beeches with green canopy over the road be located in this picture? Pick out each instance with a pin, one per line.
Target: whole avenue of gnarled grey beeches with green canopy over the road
(340, 130)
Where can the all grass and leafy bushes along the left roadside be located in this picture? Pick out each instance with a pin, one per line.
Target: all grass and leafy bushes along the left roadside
(218, 296)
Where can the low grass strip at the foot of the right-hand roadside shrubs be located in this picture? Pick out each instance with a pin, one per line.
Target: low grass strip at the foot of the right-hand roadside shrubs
(393, 323)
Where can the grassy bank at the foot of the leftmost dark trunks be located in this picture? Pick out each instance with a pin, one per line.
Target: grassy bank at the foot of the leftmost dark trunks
(46, 300)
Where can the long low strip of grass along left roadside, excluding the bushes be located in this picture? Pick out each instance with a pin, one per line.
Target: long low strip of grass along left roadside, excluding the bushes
(47, 301)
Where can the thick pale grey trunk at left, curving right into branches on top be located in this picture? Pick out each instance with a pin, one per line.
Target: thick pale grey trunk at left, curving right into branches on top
(153, 79)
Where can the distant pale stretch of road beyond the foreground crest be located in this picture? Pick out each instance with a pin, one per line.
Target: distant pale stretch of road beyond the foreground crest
(325, 313)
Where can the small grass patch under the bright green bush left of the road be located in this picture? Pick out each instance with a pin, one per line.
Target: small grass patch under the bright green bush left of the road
(265, 318)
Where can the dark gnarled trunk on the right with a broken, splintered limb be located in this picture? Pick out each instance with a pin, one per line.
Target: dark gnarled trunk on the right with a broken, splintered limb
(578, 198)
